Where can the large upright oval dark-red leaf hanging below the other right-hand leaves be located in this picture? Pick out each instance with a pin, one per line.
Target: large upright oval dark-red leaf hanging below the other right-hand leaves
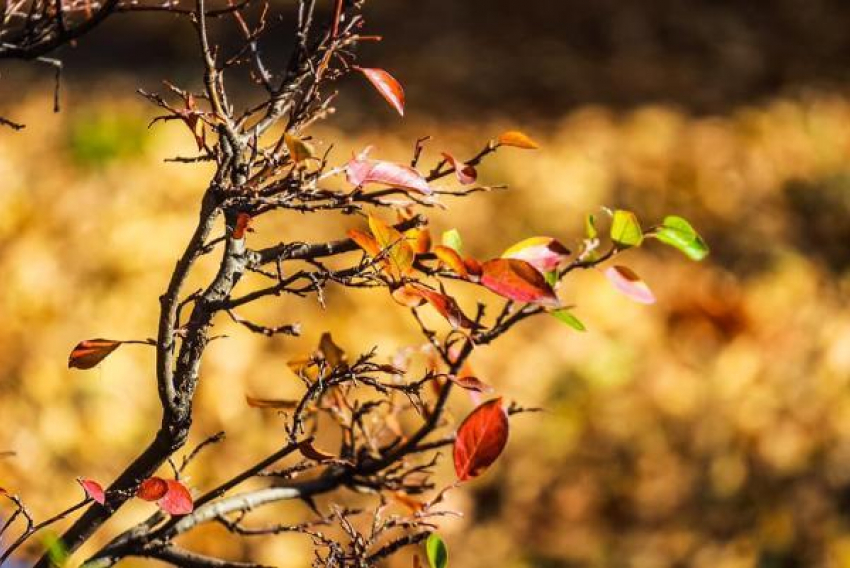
(480, 439)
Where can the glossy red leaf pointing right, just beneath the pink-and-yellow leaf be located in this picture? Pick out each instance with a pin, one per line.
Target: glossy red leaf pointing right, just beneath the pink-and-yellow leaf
(517, 280)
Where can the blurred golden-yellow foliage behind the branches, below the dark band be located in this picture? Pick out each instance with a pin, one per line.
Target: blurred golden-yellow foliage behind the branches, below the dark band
(709, 430)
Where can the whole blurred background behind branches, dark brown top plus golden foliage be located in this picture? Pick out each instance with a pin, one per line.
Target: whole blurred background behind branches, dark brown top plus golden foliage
(711, 430)
